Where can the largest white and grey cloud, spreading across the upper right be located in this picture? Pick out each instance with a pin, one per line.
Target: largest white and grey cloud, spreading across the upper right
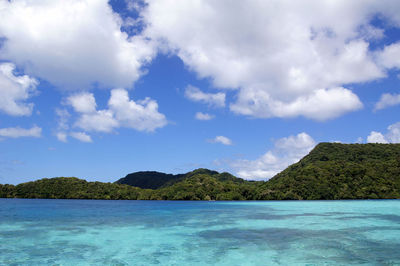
(281, 55)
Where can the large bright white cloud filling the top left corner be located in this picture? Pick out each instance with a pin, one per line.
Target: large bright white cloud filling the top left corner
(72, 44)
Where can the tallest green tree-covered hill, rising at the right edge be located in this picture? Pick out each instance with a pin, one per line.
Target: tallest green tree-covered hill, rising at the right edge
(339, 171)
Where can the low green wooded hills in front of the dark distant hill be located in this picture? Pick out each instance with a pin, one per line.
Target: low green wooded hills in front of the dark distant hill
(195, 187)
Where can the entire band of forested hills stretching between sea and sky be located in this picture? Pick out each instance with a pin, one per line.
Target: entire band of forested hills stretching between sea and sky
(330, 171)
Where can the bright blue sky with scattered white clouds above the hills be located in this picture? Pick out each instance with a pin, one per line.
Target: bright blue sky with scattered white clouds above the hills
(98, 89)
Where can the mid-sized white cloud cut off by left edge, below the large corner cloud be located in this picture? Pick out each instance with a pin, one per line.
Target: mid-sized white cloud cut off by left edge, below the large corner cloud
(15, 90)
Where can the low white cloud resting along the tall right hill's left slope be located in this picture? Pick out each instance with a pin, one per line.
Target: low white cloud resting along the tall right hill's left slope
(286, 151)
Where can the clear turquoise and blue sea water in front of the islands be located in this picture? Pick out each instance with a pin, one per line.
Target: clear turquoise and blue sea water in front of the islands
(88, 232)
